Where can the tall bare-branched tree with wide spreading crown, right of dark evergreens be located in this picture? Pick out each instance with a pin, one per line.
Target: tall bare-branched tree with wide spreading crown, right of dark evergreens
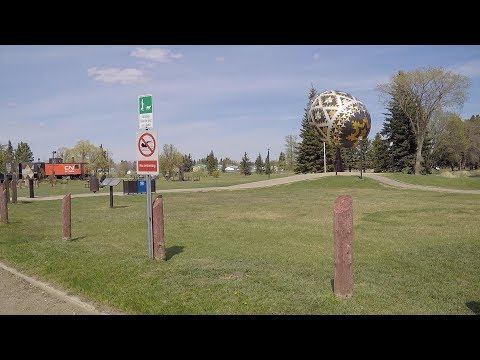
(422, 93)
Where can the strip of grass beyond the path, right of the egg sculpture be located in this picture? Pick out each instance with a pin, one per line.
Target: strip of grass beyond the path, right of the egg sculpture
(471, 181)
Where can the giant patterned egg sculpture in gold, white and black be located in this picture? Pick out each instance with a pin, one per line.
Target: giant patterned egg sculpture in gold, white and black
(339, 118)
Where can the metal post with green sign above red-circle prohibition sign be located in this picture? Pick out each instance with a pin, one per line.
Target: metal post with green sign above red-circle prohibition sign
(147, 156)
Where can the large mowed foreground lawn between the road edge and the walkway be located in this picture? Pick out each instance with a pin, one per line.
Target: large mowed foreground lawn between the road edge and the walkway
(262, 251)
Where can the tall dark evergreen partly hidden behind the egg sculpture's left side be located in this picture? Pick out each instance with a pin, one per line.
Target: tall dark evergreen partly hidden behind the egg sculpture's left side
(310, 150)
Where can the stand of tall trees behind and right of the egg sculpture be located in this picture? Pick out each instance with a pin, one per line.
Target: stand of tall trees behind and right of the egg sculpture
(420, 131)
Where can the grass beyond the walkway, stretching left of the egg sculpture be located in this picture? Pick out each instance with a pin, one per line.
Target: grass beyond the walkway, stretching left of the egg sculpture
(81, 186)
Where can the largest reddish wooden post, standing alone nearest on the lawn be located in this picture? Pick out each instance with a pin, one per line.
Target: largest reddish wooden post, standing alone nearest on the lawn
(343, 246)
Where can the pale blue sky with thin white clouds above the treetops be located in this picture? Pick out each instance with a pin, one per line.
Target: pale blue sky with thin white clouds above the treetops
(227, 98)
